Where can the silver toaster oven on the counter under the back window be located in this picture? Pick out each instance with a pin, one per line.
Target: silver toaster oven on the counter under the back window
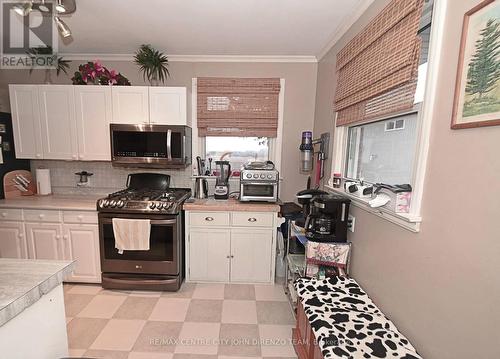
(259, 182)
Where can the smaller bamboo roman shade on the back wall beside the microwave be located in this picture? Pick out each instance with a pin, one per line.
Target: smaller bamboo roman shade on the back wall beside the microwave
(238, 106)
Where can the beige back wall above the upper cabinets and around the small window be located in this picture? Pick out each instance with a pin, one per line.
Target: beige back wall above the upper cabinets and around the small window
(300, 92)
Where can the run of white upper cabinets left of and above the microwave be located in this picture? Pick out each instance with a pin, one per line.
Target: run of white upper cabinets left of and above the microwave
(67, 122)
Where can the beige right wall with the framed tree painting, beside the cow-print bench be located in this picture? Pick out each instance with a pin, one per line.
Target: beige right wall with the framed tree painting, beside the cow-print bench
(442, 285)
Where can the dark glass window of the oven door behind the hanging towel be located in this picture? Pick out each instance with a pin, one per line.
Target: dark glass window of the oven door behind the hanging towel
(161, 245)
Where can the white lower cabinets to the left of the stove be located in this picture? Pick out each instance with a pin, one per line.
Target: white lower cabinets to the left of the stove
(53, 234)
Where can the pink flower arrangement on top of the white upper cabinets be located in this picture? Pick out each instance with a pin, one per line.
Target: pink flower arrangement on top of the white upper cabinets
(95, 73)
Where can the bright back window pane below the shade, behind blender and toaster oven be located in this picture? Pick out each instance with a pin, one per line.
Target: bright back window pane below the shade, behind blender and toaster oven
(237, 150)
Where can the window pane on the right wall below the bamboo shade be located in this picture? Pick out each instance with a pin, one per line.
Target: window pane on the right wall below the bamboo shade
(383, 151)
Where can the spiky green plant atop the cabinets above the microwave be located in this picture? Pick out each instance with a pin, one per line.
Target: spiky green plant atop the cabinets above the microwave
(152, 63)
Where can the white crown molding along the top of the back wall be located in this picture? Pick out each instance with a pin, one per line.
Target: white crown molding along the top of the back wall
(192, 58)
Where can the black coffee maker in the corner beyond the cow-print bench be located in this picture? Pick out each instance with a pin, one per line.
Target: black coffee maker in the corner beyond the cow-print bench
(327, 219)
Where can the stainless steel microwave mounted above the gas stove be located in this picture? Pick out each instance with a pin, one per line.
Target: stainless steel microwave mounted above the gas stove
(150, 146)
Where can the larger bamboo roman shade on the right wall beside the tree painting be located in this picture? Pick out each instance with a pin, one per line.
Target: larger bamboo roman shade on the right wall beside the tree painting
(377, 70)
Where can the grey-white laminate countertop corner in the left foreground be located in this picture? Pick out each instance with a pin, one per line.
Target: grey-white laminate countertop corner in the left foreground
(24, 281)
